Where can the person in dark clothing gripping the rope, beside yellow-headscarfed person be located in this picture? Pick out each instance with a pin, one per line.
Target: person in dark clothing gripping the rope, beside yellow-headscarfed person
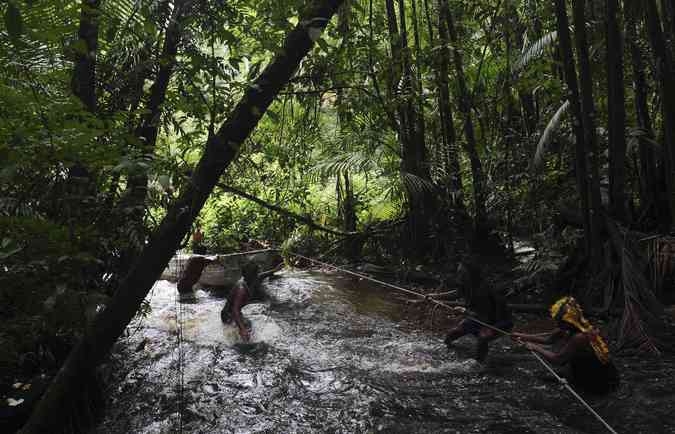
(486, 303)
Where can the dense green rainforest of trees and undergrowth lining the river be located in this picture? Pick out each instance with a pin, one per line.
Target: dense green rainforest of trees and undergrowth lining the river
(398, 135)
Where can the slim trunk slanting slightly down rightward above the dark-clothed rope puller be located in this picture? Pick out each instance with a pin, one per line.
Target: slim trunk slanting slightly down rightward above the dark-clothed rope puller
(471, 146)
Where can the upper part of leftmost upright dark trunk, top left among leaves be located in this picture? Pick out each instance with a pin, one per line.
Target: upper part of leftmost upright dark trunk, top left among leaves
(84, 74)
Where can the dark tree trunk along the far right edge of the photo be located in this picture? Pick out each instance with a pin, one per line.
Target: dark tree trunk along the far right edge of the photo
(663, 72)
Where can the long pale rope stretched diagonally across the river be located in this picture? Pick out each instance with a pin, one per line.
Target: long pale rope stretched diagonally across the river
(431, 300)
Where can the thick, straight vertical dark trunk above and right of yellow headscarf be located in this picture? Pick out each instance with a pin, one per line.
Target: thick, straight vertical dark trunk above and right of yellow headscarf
(616, 112)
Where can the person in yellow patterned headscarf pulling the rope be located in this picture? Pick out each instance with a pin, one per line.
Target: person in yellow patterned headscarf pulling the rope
(582, 348)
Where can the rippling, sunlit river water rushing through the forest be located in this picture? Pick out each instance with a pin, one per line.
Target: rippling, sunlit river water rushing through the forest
(330, 355)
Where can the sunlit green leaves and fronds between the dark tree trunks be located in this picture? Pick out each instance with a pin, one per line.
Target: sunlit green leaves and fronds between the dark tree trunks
(329, 148)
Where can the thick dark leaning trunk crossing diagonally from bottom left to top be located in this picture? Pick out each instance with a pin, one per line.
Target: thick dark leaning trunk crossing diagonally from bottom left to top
(221, 150)
